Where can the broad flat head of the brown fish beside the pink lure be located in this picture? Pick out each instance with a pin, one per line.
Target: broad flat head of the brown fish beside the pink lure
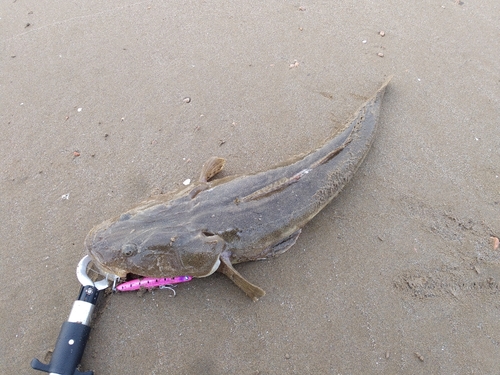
(136, 243)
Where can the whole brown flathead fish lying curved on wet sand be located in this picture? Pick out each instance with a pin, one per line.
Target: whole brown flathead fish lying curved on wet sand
(215, 223)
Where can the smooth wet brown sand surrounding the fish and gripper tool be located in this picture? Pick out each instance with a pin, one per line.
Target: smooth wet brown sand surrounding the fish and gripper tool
(398, 275)
